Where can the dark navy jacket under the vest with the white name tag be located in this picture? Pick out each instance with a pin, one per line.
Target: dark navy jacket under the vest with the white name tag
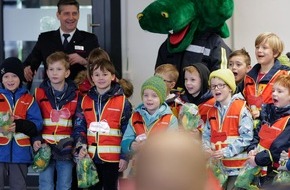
(80, 124)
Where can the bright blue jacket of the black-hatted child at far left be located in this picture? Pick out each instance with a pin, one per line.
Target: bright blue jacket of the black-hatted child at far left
(13, 153)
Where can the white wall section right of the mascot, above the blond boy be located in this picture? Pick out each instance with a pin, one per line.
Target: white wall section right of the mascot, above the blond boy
(252, 17)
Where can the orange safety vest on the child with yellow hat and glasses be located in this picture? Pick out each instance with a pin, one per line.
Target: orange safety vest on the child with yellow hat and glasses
(224, 133)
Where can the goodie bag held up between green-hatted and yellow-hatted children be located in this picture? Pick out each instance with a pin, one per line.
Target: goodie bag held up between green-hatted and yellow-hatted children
(188, 116)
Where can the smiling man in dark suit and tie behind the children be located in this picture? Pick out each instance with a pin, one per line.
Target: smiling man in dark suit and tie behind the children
(77, 44)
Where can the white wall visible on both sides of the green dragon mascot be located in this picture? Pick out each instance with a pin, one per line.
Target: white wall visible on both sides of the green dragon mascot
(251, 17)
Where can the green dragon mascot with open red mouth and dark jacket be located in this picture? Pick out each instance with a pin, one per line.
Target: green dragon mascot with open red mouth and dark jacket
(195, 30)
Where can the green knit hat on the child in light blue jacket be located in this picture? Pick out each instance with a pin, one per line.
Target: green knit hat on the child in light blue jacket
(156, 84)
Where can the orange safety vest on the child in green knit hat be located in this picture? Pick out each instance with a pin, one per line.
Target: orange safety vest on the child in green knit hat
(140, 128)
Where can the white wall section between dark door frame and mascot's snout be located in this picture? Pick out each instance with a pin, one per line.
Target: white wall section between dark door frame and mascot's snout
(142, 47)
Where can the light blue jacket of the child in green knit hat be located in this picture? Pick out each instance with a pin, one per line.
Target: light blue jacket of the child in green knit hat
(149, 121)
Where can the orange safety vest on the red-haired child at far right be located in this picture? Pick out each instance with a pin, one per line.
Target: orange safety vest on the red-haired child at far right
(268, 134)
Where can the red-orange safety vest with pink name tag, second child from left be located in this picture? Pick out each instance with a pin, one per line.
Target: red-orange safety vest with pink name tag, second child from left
(57, 124)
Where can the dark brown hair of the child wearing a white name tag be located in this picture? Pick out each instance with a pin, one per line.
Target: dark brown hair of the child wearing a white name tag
(103, 64)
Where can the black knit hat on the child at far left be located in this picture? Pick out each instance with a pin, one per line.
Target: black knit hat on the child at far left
(12, 65)
